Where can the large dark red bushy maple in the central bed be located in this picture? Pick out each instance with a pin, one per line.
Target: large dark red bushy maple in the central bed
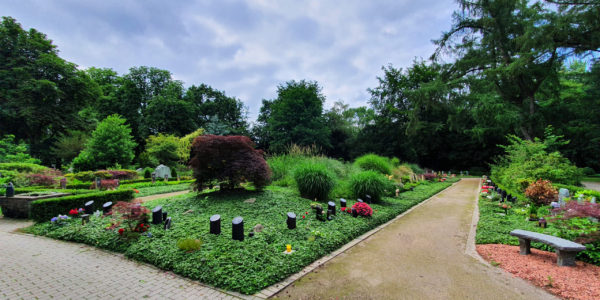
(228, 159)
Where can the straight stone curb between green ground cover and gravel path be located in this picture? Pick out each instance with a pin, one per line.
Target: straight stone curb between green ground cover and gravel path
(278, 287)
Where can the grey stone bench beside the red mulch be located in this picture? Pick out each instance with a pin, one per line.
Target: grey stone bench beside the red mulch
(565, 249)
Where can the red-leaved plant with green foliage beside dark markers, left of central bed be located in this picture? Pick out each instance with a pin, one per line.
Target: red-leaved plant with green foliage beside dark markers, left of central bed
(133, 217)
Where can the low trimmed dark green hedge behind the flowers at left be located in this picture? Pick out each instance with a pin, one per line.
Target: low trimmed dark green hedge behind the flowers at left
(45, 209)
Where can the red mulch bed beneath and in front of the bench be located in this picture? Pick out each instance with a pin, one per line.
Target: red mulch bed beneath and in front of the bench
(578, 282)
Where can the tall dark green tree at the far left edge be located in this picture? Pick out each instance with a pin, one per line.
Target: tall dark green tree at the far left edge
(41, 94)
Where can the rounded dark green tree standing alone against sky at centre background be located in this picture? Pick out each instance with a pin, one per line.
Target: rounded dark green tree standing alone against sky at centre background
(296, 117)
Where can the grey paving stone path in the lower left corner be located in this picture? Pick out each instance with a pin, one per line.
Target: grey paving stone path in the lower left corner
(34, 267)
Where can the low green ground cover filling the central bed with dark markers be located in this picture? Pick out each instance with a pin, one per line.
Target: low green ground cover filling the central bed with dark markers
(247, 266)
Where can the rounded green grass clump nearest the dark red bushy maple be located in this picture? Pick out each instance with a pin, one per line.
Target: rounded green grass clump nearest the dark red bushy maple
(314, 180)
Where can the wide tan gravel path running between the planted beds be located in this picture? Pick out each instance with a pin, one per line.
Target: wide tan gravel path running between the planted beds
(420, 256)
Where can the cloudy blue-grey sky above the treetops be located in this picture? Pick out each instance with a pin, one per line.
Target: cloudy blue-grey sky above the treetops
(245, 48)
